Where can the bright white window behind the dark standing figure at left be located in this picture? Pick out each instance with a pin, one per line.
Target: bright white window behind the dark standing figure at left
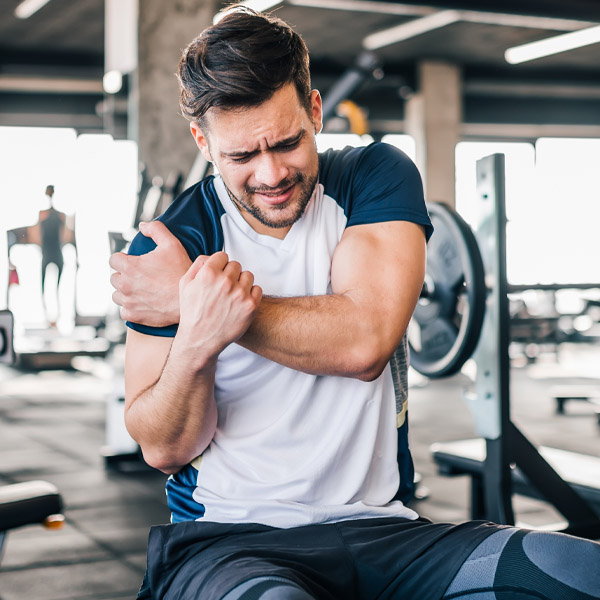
(95, 180)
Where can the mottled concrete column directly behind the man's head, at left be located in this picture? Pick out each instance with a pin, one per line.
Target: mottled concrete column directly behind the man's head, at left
(165, 29)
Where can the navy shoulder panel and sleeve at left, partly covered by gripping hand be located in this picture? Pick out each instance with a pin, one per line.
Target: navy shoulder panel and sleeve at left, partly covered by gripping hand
(194, 217)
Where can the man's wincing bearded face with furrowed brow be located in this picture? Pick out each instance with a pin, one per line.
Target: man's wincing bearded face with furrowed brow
(266, 156)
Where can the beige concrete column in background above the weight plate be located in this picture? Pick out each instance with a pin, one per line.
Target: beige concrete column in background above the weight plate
(434, 118)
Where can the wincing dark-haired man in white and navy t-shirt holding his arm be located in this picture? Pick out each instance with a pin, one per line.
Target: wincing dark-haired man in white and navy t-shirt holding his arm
(266, 360)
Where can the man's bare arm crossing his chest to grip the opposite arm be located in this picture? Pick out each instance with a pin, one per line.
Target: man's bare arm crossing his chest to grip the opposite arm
(377, 274)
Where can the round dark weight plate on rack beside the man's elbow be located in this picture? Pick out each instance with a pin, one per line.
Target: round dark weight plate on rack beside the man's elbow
(446, 324)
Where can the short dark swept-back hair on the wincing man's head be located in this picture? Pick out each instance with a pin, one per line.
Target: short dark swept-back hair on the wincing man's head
(240, 62)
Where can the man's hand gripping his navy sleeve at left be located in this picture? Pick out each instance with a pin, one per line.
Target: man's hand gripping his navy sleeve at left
(147, 286)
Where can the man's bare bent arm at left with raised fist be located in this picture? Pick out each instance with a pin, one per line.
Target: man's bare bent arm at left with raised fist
(170, 408)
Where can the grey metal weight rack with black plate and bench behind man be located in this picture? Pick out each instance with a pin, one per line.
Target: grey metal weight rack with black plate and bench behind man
(454, 322)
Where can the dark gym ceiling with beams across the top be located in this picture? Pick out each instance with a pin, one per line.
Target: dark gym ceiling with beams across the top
(51, 64)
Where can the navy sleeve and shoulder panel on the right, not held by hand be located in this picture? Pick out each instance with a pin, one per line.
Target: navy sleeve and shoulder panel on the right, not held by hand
(374, 183)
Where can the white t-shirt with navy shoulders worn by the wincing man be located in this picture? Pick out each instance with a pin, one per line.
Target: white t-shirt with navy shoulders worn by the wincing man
(290, 448)
